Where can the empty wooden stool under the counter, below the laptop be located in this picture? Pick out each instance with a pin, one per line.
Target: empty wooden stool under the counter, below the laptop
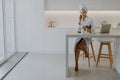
(109, 55)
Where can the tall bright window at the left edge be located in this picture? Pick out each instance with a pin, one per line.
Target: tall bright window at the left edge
(7, 29)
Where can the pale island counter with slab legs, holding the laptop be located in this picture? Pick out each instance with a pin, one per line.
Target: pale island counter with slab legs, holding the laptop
(114, 35)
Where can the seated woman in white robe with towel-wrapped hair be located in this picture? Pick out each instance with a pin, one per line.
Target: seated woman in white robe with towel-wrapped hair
(85, 24)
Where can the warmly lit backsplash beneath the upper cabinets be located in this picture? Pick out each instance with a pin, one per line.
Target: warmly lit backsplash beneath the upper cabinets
(70, 18)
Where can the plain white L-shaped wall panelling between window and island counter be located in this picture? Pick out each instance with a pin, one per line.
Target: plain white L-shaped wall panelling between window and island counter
(33, 35)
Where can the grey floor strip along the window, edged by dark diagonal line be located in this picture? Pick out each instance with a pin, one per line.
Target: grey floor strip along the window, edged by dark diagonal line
(10, 63)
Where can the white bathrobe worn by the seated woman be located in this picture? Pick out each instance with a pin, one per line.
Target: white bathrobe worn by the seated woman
(87, 22)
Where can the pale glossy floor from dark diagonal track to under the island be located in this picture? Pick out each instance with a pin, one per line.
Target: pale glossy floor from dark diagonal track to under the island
(52, 67)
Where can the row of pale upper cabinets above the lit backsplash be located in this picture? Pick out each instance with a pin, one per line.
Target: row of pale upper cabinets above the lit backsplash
(93, 5)
